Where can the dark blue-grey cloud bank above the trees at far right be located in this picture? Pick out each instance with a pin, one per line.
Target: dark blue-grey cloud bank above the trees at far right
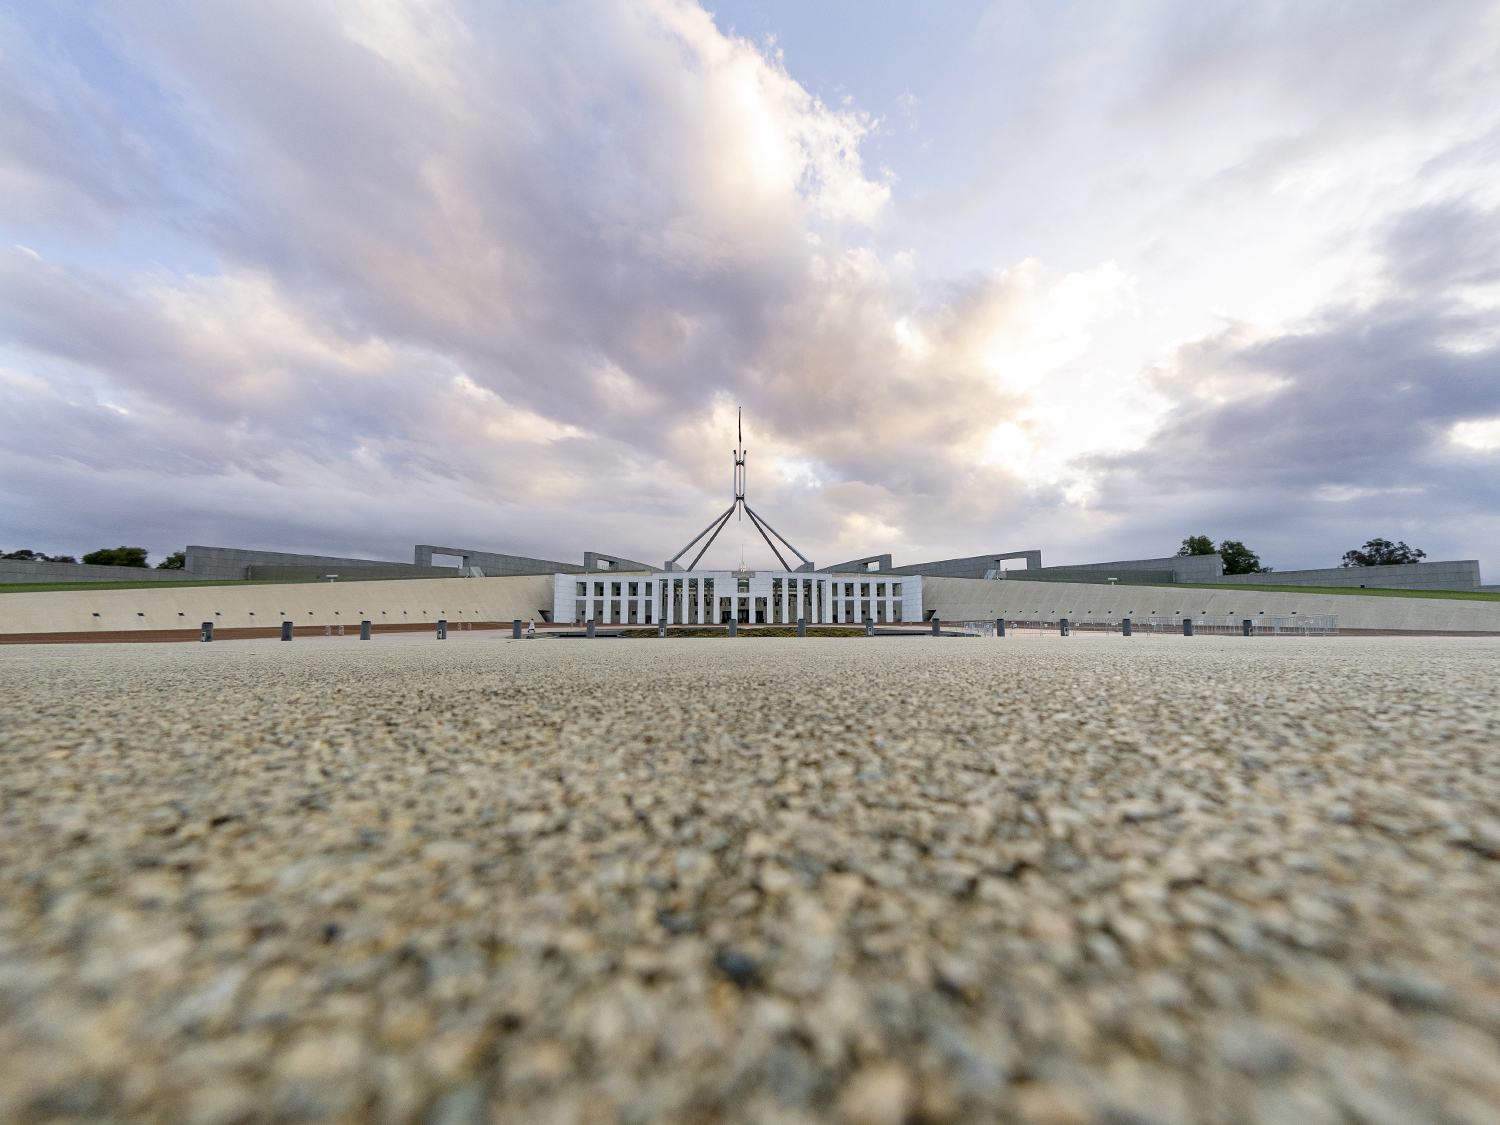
(1340, 430)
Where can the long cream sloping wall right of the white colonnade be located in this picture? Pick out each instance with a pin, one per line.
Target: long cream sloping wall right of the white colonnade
(955, 599)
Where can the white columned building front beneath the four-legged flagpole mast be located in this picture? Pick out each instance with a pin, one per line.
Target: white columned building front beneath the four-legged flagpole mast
(751, 598)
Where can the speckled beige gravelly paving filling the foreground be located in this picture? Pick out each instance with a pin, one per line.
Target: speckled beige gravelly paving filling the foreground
(1036, 880)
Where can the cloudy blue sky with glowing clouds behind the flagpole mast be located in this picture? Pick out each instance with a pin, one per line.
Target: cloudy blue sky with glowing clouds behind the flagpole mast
(341, 278)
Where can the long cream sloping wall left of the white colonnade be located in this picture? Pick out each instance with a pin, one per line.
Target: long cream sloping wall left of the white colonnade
(326, 604)
